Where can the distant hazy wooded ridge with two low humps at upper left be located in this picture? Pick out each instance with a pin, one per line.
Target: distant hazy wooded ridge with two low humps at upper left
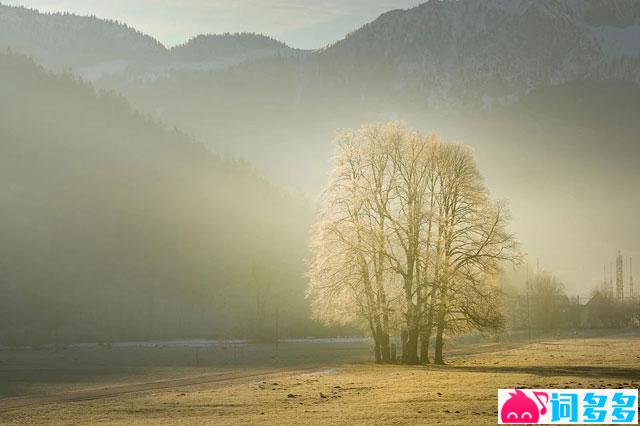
(95, 48)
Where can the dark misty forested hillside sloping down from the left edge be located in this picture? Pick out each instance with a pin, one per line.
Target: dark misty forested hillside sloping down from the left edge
(113, 228)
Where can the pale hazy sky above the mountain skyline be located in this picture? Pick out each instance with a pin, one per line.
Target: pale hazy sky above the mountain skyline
(299, 23)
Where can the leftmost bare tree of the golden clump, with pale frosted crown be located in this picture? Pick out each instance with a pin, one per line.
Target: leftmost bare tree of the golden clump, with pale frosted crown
(348, 271)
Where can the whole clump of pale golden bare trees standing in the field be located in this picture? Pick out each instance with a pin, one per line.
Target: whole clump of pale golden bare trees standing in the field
(408, 241)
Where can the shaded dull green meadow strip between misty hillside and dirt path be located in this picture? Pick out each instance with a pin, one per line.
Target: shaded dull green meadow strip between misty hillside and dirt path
(40, 372)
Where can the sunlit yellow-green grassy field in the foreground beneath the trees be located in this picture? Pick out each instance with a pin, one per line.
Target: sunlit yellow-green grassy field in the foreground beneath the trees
(462, 392)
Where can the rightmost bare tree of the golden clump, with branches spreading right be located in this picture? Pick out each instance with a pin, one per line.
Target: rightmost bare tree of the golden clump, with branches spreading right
(474, 242)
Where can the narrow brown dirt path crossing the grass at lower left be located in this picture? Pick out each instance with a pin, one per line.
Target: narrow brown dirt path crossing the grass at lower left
(113, 391)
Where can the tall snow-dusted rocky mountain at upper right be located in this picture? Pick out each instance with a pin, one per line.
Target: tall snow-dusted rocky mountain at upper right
(491, 51)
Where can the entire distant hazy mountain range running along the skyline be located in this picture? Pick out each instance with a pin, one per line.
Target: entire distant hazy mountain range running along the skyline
(439, 53)
